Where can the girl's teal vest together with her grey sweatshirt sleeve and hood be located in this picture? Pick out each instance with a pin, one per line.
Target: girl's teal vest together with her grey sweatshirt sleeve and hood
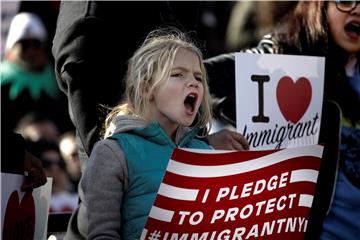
(120, 190)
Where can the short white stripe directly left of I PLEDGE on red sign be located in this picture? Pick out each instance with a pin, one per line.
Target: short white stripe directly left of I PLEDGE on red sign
(177, 193)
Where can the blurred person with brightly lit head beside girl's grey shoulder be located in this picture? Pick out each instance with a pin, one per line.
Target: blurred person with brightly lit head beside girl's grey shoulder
(70, 155)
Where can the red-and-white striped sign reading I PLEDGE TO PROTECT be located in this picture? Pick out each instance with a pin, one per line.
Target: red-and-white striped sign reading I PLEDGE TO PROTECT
(211, 194)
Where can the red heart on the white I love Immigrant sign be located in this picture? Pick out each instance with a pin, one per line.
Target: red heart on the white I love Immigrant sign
(293, 97)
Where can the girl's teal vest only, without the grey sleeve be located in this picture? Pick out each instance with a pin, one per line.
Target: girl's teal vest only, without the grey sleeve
(147, 152)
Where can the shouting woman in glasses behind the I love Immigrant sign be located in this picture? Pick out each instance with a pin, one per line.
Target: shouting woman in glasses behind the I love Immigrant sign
(317, 28)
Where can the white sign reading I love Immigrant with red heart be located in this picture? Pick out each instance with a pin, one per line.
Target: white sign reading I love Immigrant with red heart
(279, 99)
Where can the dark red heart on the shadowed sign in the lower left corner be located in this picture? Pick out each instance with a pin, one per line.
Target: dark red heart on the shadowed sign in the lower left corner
(19, 220)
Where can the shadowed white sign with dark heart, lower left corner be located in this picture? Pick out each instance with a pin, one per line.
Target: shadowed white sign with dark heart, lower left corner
(23, 214)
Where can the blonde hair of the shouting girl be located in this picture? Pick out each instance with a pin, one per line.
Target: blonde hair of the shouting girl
(149, 68)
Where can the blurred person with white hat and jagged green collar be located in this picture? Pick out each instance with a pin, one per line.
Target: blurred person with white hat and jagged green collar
(27, 75)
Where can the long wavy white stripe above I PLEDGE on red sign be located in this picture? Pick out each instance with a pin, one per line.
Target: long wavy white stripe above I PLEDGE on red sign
(237, 168)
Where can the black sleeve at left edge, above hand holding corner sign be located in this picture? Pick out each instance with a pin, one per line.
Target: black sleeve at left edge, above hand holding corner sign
(13, 153)
